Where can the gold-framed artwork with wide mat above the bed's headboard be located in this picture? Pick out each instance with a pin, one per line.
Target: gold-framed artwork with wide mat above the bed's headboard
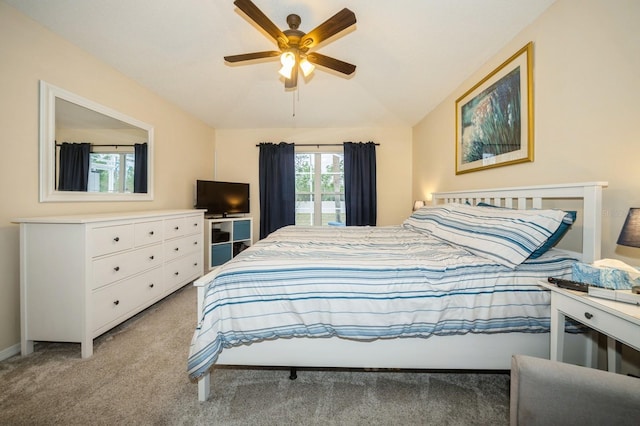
(494, 119)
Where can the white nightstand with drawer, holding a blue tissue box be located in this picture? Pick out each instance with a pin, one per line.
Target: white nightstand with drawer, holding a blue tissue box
(619, 321)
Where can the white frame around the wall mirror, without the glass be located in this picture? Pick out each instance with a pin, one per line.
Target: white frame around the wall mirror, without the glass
(47, 157)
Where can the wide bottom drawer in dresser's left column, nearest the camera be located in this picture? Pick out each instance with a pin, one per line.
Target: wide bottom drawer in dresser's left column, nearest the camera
(118, 300)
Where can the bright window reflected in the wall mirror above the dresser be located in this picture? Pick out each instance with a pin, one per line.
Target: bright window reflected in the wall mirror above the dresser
(111, 172)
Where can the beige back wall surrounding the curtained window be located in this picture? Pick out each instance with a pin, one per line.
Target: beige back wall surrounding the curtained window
(237, 160)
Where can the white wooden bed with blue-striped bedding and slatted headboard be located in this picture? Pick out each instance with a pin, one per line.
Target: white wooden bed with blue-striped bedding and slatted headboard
(427, 294)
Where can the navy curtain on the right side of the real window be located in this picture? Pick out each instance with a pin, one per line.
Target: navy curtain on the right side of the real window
(360, 183)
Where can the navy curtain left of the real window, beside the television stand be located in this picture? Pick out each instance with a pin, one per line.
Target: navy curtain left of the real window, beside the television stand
(277, 187)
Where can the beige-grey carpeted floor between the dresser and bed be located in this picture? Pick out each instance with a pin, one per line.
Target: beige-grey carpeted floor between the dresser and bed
(137, 376)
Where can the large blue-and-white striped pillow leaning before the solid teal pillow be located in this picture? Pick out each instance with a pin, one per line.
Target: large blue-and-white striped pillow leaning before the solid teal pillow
(505, 236)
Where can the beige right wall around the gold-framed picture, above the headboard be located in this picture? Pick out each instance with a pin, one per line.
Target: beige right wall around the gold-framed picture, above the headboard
(586, 91)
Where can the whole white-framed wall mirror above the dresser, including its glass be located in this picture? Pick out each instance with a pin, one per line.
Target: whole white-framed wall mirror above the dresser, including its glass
(89, 152)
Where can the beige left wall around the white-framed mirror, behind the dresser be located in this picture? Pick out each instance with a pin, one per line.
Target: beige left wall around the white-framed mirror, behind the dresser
(184, 146)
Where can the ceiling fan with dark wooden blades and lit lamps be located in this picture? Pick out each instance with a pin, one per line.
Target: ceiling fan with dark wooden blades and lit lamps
(294, 44)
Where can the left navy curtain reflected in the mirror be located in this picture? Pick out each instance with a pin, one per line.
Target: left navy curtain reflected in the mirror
(74, 166)
